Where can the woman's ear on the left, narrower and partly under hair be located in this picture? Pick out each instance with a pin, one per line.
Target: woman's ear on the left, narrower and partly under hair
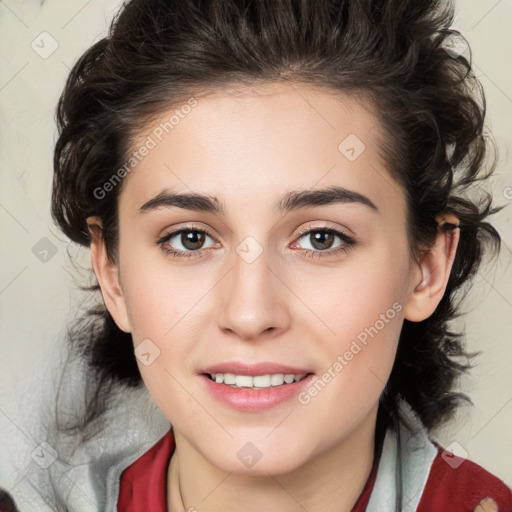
(107, 274)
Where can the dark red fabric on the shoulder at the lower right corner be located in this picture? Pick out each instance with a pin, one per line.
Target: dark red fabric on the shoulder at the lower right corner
(459, 485)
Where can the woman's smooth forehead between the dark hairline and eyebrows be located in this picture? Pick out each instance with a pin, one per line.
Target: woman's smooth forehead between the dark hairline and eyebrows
(259, 142)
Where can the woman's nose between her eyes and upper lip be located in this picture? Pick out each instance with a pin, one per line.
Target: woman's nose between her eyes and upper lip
(254, 299)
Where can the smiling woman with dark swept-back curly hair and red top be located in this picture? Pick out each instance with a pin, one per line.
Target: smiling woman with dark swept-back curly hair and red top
(274, 194)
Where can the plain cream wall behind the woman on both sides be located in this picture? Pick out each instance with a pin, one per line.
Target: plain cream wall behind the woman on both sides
(41, 40)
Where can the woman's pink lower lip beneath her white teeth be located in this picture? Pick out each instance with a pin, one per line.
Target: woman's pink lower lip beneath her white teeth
(254, 400)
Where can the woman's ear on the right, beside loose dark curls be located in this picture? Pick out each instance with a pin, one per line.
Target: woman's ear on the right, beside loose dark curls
(433, 271)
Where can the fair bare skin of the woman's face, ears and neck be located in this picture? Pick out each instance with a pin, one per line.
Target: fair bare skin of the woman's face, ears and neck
(248, 148)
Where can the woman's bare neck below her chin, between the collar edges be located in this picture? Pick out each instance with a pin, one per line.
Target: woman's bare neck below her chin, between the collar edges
(330, 482)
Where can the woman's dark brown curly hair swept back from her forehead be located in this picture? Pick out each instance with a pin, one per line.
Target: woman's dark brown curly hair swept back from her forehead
(393, 52)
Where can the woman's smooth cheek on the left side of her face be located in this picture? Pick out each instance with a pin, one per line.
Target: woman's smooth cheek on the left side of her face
(163, 305)
